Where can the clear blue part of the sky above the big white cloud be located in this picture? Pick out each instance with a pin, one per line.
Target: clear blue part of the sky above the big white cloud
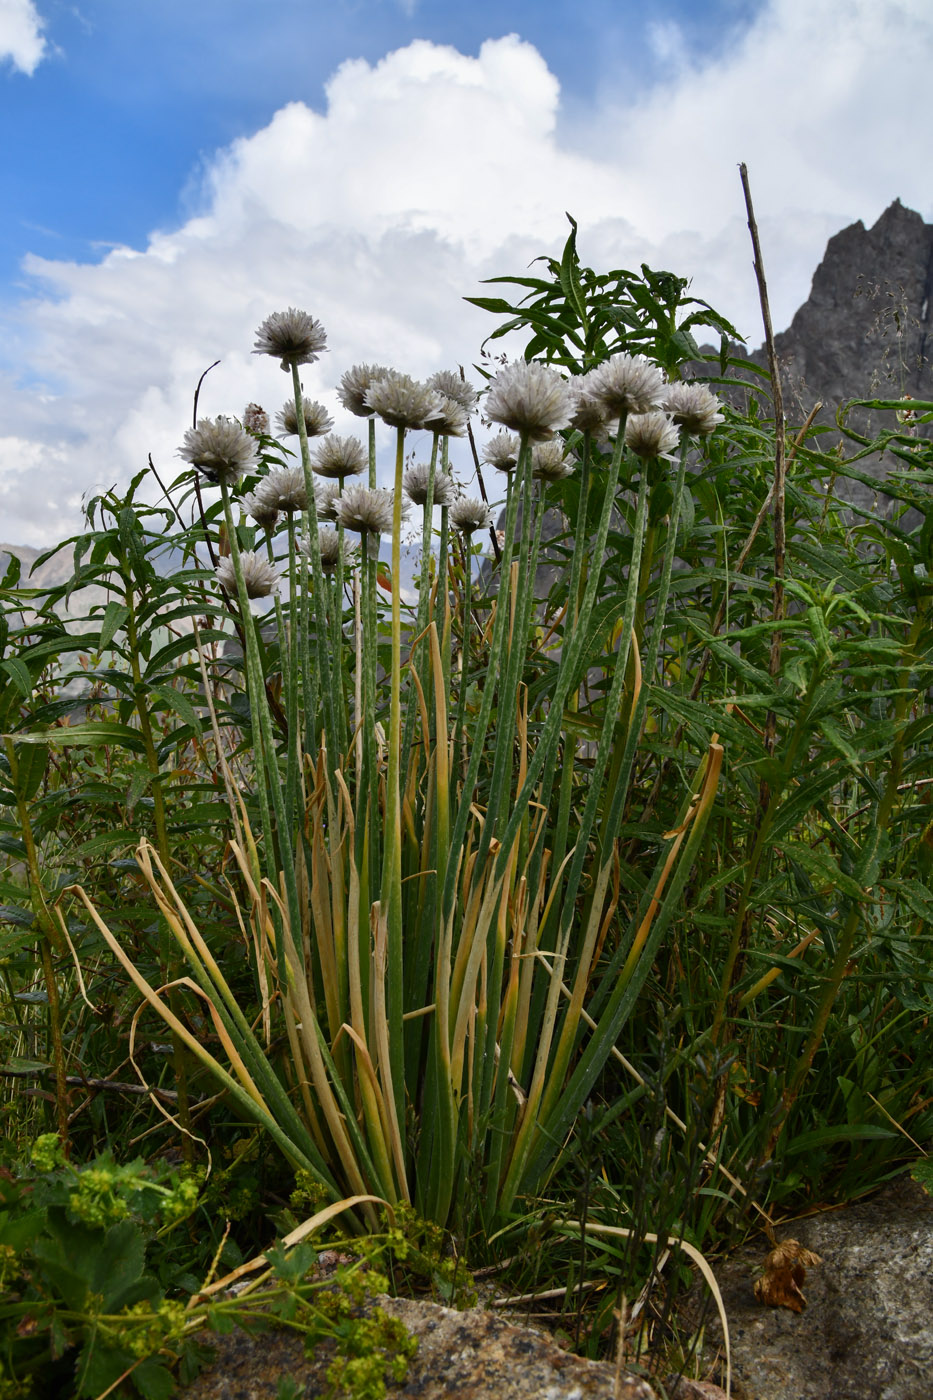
(134, 96)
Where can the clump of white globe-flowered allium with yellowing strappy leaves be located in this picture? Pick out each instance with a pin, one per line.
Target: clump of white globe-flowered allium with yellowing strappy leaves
(425, 916)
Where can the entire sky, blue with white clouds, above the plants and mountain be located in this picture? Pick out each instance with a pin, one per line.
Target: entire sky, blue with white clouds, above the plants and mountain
(176, 170)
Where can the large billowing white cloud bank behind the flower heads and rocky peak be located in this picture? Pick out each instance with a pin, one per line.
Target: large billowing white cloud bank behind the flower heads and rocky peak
(429, 171)
